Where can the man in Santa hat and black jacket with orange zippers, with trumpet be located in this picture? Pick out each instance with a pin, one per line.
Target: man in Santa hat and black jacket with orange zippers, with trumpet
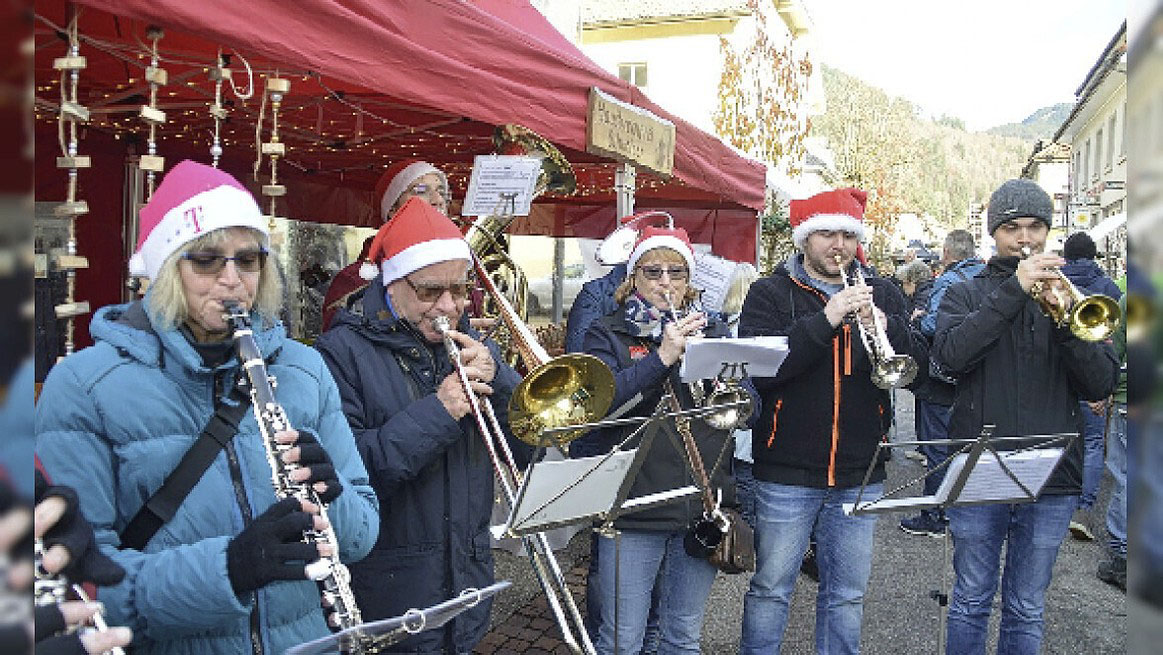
(823, 418)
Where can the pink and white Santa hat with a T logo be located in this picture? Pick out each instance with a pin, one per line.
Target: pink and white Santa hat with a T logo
(194, 200)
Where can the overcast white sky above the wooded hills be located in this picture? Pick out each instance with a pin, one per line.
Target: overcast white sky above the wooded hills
(988, 62)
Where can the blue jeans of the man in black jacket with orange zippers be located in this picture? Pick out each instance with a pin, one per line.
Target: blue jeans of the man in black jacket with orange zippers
(786, 516)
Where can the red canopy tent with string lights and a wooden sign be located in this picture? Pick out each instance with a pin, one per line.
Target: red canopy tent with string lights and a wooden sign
(372, 83)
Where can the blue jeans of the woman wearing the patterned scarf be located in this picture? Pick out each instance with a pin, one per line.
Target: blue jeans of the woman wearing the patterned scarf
(650, 560)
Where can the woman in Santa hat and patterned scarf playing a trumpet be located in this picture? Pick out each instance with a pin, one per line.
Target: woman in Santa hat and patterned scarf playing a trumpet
(644, 343)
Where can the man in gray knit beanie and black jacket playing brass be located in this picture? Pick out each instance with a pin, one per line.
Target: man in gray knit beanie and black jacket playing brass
(1025, 375)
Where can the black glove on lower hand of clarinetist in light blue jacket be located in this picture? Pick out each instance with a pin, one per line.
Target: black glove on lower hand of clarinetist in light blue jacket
(272, 549)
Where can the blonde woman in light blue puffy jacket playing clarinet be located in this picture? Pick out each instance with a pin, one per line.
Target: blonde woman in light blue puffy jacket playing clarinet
(223, 568)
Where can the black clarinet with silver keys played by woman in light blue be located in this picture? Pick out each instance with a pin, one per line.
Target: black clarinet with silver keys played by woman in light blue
(330, 573)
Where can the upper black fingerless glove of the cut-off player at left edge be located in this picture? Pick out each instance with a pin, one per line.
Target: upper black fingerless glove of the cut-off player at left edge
(87, 563)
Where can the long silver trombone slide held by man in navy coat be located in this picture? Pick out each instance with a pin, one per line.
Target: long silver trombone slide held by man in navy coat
(541, 556)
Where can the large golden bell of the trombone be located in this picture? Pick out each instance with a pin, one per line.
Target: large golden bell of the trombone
(568, 390)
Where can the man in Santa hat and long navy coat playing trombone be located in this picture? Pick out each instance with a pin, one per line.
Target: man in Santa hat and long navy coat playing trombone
(410, 414)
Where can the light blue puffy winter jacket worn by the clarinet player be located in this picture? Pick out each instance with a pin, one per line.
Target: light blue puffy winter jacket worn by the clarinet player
(113, 421)
